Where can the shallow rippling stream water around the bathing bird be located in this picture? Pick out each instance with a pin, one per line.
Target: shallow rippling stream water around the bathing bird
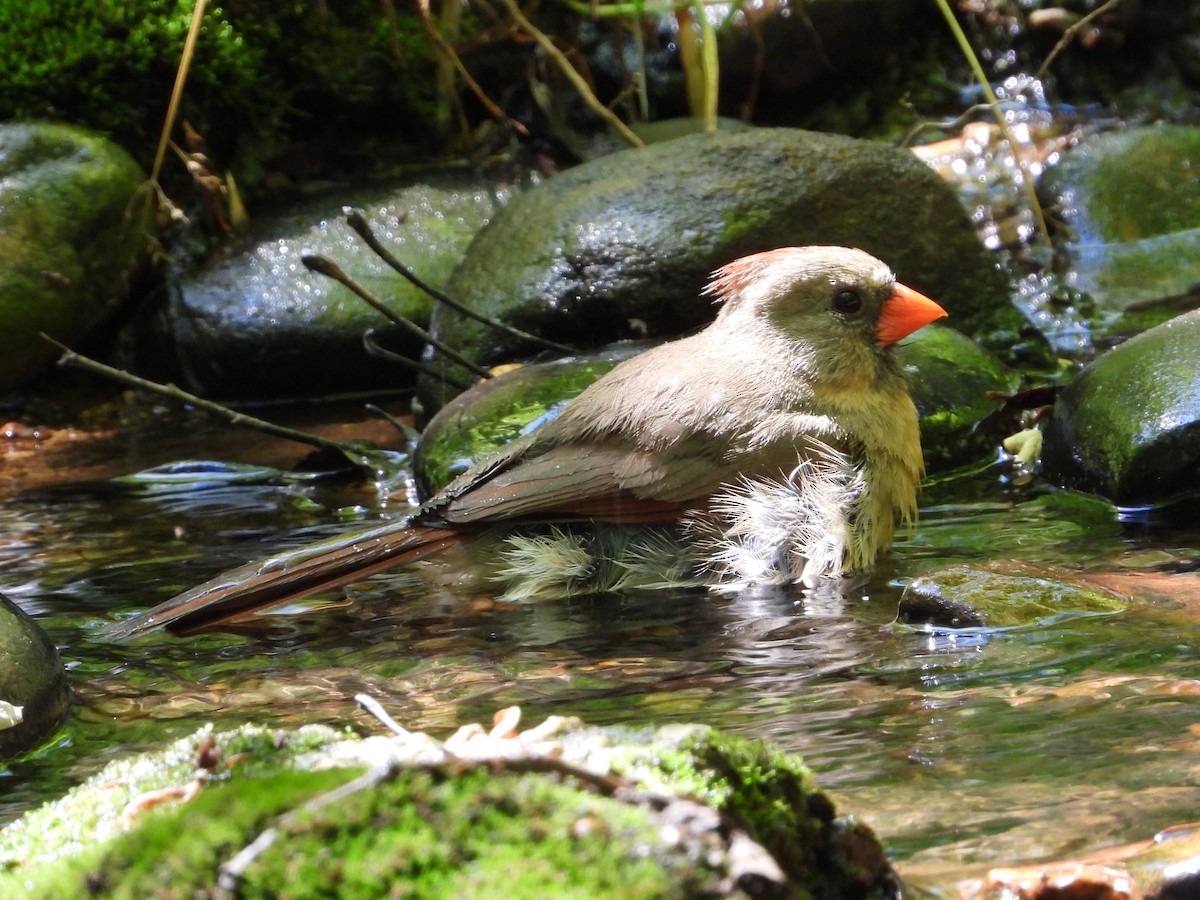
(962, 749)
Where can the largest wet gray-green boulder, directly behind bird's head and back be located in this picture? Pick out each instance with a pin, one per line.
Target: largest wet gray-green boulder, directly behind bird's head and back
(635, 236)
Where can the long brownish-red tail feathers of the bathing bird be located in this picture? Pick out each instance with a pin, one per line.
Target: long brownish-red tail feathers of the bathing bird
(238, 595)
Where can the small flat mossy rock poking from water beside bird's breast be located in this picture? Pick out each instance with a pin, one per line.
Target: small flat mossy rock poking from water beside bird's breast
(1000, 595)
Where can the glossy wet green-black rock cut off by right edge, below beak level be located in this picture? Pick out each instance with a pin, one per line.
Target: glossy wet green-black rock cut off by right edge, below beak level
(1129, 427)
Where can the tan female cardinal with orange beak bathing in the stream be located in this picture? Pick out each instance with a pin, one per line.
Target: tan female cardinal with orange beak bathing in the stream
(783, 436)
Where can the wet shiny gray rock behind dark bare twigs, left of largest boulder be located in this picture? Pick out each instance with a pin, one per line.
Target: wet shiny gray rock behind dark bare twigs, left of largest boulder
(256, 322)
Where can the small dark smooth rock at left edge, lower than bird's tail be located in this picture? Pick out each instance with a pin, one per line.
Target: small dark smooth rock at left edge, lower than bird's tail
(34, 692)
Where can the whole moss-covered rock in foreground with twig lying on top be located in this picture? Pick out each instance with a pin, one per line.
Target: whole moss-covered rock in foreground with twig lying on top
(569, 812)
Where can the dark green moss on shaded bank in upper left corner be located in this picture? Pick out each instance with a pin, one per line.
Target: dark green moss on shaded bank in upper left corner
(262, 71)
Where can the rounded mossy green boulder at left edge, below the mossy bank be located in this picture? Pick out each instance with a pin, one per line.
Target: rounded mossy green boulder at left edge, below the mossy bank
(73, 236)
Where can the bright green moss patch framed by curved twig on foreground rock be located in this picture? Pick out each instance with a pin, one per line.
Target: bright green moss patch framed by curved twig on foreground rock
(470, 836)
